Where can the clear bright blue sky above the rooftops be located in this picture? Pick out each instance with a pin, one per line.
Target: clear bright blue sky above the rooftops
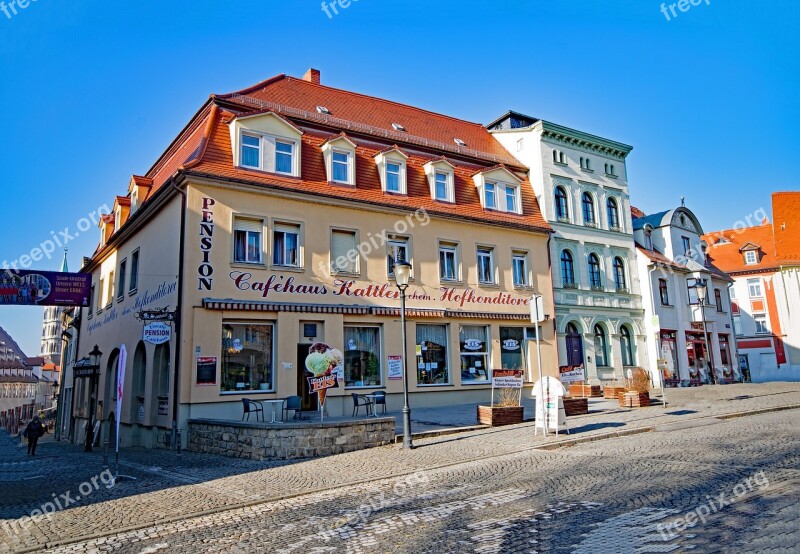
(93, 91)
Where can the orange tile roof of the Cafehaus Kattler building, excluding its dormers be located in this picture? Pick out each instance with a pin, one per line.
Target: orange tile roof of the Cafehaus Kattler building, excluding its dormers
(204, 148)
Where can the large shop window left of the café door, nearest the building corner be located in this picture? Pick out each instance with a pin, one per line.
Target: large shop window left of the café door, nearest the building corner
(247, 356)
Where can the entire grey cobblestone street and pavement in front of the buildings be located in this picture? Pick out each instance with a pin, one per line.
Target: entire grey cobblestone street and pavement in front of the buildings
(495, 490)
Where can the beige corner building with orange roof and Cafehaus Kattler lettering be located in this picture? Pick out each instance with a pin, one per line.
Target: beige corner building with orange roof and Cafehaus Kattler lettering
(273, 222)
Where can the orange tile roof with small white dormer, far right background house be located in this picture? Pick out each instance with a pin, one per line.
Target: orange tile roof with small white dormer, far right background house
(727, 254)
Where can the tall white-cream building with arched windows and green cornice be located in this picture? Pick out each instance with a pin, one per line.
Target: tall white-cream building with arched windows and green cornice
(580, 182)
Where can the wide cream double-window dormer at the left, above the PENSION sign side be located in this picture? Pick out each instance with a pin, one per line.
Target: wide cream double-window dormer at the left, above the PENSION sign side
(266, 142)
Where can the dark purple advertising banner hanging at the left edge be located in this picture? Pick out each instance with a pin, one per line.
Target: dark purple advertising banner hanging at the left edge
(44, 288)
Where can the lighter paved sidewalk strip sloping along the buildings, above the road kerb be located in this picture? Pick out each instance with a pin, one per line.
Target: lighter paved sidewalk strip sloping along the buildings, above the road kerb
(172, 488)
